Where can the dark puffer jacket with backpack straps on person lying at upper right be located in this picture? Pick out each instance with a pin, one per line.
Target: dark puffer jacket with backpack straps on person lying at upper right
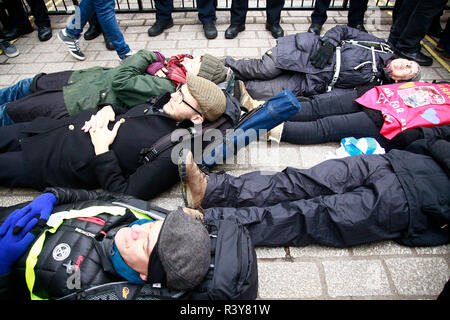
(294, 53)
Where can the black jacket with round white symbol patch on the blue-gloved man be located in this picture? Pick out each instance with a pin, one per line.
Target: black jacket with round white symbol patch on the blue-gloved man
(77, 255)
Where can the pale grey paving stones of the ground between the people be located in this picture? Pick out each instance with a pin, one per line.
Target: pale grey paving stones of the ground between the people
(383, 270)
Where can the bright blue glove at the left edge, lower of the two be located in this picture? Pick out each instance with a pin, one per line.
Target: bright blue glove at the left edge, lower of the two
(13, 245)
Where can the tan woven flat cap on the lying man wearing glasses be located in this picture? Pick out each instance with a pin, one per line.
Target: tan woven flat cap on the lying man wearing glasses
(209, 96)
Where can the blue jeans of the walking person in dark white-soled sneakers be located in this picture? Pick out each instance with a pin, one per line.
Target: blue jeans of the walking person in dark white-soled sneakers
(107, 18)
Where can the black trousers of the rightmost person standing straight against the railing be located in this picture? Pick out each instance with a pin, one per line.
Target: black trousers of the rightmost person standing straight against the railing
(355, 16)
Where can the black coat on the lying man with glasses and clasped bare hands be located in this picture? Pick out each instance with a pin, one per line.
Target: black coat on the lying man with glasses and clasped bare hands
(59, 153)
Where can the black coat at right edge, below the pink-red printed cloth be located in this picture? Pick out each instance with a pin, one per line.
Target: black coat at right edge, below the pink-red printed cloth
(423, 169)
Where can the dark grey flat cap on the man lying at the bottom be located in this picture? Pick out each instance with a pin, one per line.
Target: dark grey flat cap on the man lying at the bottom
(184, 248)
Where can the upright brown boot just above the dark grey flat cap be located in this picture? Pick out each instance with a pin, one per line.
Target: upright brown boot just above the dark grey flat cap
(194, 181)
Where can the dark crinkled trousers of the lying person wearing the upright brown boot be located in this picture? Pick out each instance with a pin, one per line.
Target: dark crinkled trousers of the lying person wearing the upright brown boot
(339, 203)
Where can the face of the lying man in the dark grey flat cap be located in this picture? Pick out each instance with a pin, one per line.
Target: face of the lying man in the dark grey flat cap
(135, 244)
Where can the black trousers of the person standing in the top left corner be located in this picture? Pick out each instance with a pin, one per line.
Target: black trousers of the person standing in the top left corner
(19, 16)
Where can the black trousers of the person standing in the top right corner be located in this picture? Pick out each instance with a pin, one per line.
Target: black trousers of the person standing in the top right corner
(412, 22)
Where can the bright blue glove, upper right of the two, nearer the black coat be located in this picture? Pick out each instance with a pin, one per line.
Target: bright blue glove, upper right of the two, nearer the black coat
(42, 206)
